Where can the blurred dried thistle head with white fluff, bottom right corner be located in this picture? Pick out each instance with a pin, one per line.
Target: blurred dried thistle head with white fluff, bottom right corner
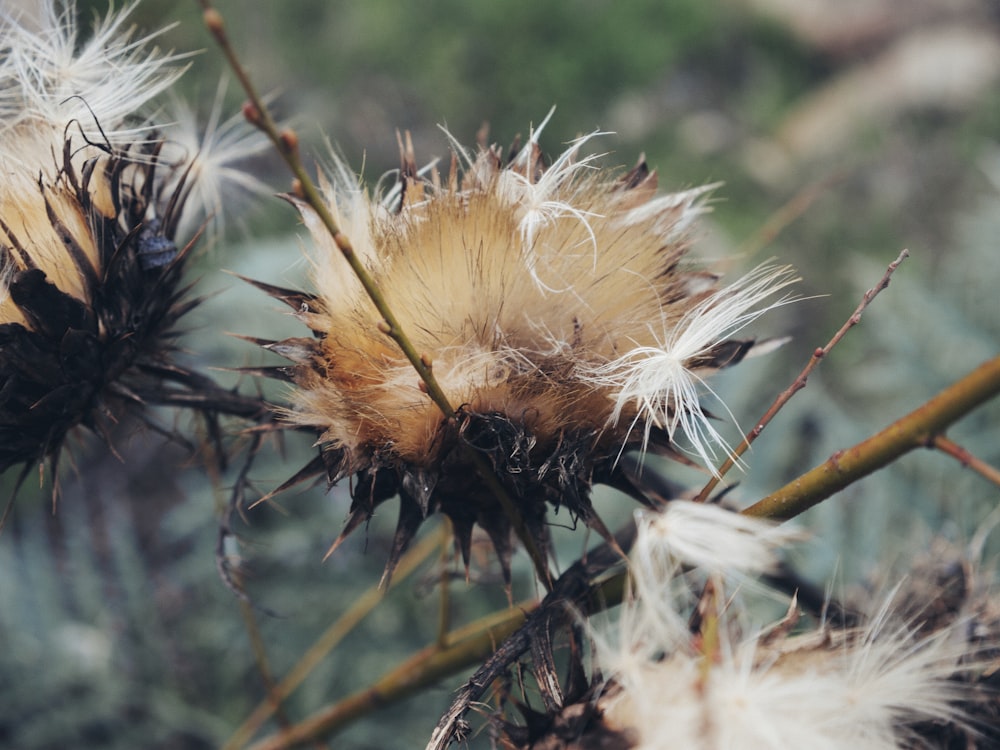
(909, 673)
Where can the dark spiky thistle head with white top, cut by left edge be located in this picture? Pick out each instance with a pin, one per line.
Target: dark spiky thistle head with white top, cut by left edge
(89, 209)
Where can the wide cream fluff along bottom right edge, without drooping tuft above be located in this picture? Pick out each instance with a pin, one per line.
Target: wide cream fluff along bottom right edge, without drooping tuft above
(865, 689)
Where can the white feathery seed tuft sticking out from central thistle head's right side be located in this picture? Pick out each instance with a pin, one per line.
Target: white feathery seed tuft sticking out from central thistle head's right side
(661, 383)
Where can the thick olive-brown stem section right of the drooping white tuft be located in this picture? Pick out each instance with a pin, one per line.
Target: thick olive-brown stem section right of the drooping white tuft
(916, 430)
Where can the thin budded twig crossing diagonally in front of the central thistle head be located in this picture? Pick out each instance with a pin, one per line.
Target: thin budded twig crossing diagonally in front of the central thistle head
(286, 142)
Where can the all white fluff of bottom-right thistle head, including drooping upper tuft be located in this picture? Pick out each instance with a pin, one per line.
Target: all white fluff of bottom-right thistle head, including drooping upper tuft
(825, 688)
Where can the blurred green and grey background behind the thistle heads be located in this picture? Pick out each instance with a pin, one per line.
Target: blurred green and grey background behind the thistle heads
(117, 630)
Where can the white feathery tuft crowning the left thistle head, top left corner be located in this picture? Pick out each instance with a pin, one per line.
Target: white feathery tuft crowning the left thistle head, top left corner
(53, 77)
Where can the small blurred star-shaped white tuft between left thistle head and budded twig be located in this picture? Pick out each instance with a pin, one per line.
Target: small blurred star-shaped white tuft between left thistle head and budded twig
(208, 154)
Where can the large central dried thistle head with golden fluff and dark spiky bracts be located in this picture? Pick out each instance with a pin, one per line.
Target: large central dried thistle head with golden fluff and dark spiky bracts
(563, 321)
